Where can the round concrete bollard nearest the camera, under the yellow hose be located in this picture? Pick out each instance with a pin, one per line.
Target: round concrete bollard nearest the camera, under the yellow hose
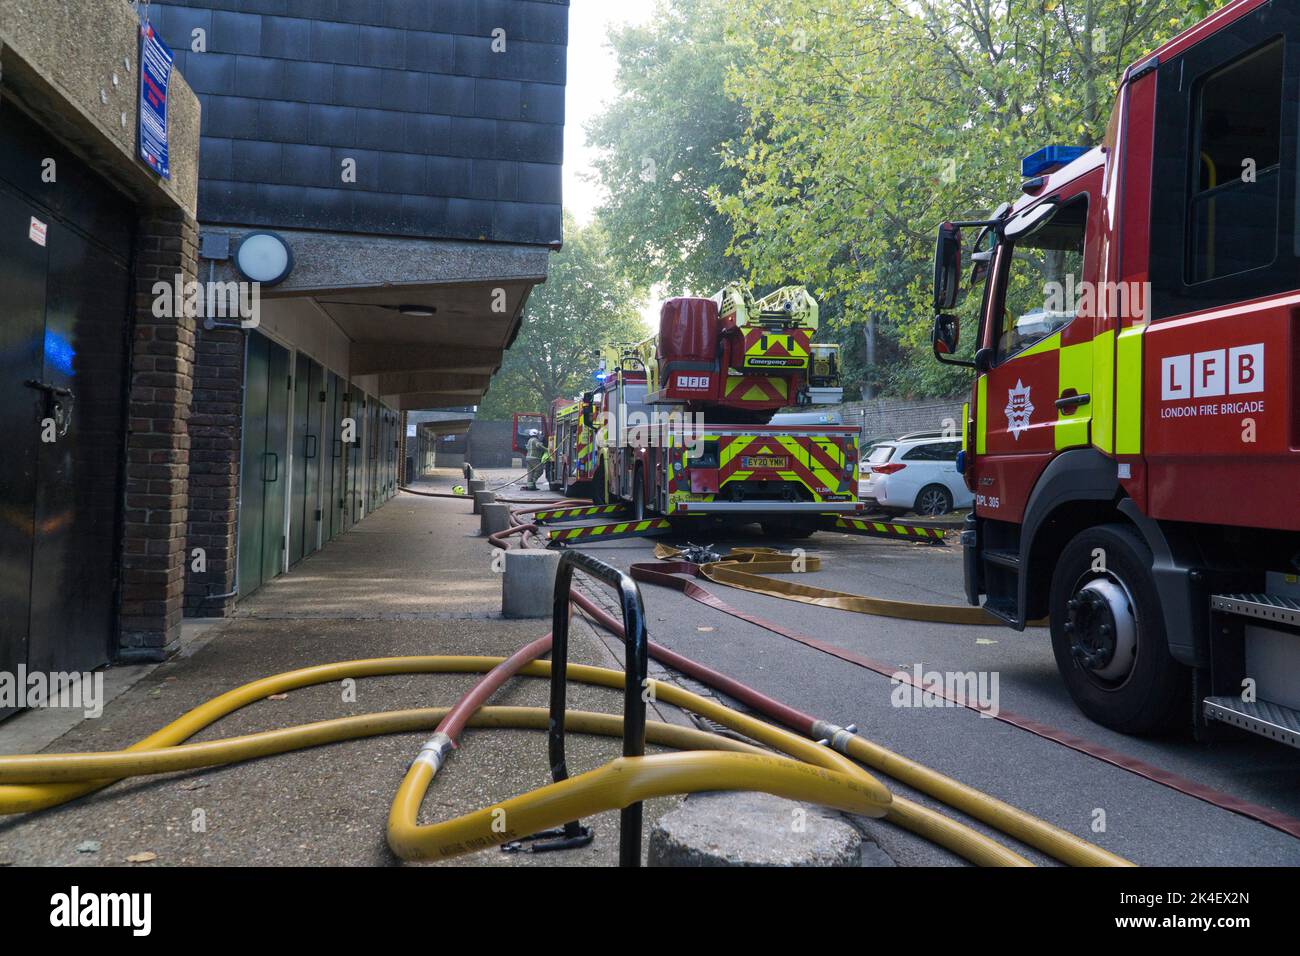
(742, 829)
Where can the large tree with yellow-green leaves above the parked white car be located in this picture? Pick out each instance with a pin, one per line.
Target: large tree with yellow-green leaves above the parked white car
(870, 122)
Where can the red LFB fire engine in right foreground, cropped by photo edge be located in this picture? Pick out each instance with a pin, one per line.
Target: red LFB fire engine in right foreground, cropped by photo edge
(1133, 438)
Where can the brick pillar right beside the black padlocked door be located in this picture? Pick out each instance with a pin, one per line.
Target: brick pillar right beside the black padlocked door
(158, 444)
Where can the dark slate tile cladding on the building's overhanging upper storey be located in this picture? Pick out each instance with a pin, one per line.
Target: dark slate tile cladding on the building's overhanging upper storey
(450, 140)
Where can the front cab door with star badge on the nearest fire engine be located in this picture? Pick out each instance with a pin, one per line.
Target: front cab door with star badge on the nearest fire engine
(1035, 399)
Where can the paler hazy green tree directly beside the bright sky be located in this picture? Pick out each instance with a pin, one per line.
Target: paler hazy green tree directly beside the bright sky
(660, 145)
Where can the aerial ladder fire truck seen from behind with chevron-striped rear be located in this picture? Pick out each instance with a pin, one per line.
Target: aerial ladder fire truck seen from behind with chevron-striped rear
(679, 425)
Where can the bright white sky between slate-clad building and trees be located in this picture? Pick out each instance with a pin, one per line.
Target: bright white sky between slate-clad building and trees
(591, 80)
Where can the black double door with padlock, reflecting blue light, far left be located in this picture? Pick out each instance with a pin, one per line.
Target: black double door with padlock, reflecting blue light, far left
(66, 239)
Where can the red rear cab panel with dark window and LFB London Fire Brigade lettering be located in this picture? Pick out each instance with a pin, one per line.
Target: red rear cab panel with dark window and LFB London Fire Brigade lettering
(1215, 410)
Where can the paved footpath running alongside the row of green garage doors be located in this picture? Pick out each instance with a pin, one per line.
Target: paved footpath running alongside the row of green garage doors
(414, 578)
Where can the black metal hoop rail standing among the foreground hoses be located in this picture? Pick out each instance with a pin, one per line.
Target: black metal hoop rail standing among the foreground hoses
(636, 676)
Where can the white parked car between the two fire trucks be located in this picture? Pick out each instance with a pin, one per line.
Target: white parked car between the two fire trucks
(915, 475)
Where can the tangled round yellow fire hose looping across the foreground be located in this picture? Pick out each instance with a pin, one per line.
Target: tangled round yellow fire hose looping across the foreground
(818, 773)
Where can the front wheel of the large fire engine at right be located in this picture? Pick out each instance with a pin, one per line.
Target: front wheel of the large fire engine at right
(1108, 634)
